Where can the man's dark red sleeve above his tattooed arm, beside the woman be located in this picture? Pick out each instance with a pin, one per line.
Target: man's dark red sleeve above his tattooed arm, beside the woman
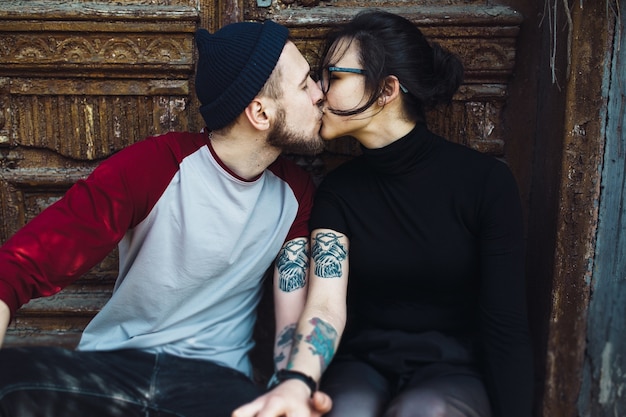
(304, 189)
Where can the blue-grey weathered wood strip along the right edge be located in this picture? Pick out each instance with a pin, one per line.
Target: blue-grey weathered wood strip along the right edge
(603, 388)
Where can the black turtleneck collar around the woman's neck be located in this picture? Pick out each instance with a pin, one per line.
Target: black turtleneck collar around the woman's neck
(402, 155)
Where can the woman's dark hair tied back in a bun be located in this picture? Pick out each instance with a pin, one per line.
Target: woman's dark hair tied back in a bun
(391, 45)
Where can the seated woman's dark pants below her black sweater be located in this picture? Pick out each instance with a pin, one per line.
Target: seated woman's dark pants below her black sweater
(391, 373)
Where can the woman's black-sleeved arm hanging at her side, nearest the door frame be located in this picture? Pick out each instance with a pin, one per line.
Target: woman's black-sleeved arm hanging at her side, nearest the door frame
(504, 324)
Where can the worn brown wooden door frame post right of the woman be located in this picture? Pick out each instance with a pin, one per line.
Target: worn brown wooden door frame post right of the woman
(582, 99)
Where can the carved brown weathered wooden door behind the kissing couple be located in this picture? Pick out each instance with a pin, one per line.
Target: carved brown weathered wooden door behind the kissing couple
(81, 79)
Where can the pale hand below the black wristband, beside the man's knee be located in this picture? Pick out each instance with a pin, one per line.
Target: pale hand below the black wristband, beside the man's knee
(289, 399)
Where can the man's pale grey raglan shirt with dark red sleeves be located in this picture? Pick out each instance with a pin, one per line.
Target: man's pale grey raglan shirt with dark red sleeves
(194, 243)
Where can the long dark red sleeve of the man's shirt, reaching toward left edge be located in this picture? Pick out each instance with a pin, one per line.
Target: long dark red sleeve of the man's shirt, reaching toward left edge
(72, 235)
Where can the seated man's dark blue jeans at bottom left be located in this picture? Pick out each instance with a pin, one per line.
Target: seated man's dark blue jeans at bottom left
(46, 381)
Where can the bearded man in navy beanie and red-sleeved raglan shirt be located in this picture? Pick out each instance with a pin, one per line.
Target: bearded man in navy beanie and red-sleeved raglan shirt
(198, 219)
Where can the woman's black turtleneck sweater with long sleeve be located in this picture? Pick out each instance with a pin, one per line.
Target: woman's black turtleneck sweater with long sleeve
(436, 245)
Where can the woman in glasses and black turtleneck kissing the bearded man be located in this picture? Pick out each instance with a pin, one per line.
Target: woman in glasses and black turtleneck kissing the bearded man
(429, 233)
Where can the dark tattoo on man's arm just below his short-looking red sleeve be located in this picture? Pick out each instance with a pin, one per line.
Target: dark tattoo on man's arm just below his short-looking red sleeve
(292, 264)
